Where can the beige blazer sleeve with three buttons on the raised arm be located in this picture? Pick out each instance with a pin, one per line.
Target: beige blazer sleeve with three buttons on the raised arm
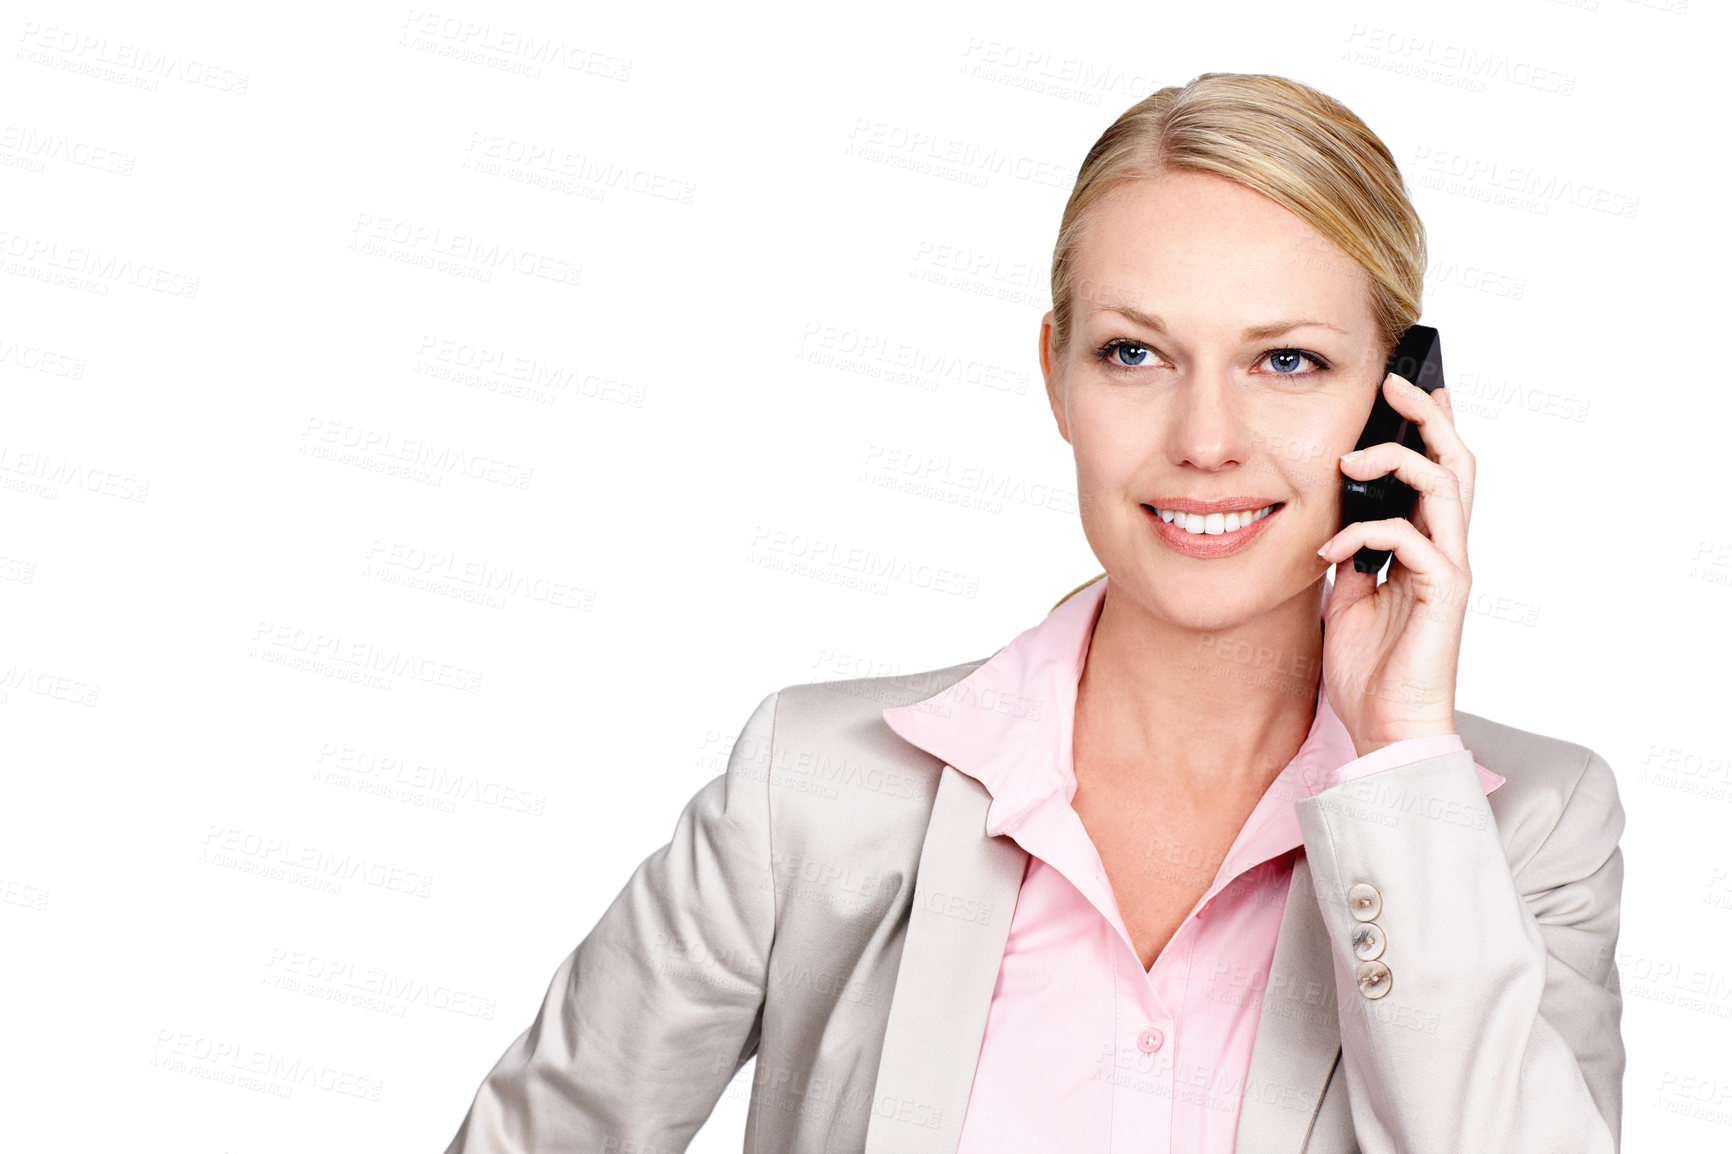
(1496, 1025)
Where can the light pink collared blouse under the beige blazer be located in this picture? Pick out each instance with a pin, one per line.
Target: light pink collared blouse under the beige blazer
(1083, 1049)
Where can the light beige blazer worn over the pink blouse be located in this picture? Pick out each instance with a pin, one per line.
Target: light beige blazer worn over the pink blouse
(834, 905)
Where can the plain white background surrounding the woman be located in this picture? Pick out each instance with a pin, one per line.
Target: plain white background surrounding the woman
(228, 254)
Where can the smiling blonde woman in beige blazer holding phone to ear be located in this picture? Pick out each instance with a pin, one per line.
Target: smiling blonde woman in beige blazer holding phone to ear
(1206, 860)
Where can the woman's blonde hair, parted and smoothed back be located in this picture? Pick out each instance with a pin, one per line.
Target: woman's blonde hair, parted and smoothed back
(1288, 141)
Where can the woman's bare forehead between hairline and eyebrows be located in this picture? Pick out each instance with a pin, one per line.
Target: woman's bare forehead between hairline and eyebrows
(1199, 245)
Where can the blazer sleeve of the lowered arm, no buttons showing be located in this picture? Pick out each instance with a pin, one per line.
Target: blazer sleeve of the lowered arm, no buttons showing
(661, 1006)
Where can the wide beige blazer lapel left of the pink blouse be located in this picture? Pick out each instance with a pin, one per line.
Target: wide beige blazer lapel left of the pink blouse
(966, 893)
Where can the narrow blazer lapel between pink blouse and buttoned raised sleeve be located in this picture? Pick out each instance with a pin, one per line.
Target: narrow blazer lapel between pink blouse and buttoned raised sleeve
(1298, 1032)
